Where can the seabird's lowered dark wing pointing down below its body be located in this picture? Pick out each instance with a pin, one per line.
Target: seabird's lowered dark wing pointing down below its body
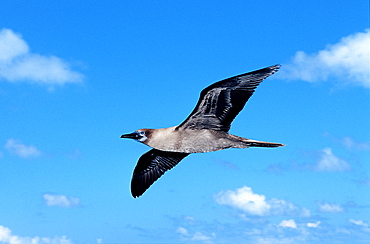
(152, 165)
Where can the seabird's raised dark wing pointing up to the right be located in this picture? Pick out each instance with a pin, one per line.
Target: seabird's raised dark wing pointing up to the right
(221, 102)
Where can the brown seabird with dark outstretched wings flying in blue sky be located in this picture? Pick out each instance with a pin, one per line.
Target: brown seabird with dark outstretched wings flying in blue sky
(204, 130)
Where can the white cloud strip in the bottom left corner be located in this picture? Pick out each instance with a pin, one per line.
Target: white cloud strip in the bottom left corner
(6, 237)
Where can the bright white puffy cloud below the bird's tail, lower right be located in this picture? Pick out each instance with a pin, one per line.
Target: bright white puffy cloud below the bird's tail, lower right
(254, 204)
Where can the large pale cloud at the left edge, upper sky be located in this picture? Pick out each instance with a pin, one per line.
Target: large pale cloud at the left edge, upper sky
(17, 63)
